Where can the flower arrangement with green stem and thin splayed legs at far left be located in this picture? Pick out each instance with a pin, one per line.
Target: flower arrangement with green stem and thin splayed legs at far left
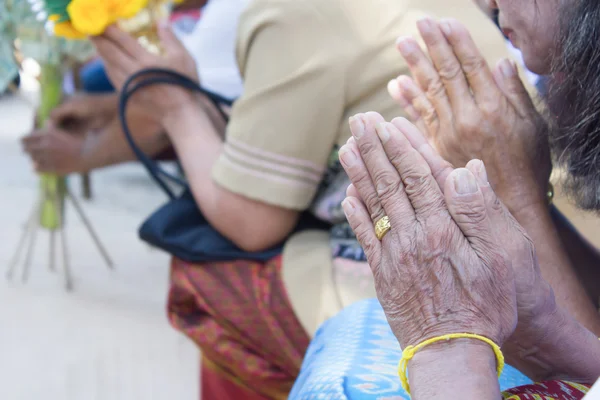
(25, 33)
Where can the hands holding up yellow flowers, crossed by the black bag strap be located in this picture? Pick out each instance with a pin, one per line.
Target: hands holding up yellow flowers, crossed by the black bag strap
(123, 56)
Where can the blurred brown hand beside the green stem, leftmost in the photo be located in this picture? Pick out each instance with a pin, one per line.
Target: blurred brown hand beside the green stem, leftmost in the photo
(54, 150)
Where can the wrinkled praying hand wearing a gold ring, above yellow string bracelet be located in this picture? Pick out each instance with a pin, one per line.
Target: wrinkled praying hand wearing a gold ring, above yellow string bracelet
(441, 269)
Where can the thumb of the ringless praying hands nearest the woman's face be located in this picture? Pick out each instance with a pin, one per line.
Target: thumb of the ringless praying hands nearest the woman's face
(506, 75)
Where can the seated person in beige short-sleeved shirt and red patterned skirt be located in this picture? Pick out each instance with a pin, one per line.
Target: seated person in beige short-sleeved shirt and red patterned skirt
(307, 66)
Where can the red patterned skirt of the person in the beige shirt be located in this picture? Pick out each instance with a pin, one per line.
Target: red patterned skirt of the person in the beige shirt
(239, 315)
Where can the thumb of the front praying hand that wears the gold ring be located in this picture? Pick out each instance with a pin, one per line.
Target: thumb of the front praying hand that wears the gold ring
(467, 207)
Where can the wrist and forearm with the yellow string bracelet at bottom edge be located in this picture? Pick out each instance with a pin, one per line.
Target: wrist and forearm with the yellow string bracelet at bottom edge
(462, 366)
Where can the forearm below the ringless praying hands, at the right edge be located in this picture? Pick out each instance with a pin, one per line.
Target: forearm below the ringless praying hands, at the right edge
(556, 265)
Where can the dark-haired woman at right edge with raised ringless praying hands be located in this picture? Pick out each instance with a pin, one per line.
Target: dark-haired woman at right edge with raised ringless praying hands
(468, 111)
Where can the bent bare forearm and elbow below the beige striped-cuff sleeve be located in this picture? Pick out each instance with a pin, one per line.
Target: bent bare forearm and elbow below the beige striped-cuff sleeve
(251, 225)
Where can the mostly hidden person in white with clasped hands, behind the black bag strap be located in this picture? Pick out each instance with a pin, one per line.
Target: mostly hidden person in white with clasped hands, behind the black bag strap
(85, 133)
